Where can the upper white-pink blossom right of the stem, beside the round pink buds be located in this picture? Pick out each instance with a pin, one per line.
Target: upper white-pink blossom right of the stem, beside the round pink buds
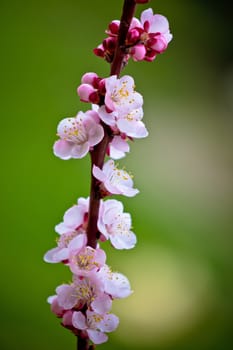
(120, 94)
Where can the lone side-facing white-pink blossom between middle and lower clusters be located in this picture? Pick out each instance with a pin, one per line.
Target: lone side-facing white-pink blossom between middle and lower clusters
(114, 180)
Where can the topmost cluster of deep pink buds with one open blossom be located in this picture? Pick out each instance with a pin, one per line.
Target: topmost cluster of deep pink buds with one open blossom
(146, 38)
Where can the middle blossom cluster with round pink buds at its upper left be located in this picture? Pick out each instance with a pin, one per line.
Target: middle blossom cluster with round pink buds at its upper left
(121, 111)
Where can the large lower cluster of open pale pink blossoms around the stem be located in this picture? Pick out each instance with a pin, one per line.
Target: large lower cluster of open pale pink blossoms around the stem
(84, 304)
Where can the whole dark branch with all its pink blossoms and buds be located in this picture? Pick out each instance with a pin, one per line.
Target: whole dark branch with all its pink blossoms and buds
(105, 130)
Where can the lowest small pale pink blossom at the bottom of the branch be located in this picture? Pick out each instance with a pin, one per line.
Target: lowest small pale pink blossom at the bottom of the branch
(95, 324)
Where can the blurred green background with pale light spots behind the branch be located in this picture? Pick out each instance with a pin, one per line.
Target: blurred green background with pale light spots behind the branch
(181, 269)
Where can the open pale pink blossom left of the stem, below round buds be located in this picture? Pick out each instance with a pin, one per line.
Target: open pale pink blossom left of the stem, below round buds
(78, 135)
